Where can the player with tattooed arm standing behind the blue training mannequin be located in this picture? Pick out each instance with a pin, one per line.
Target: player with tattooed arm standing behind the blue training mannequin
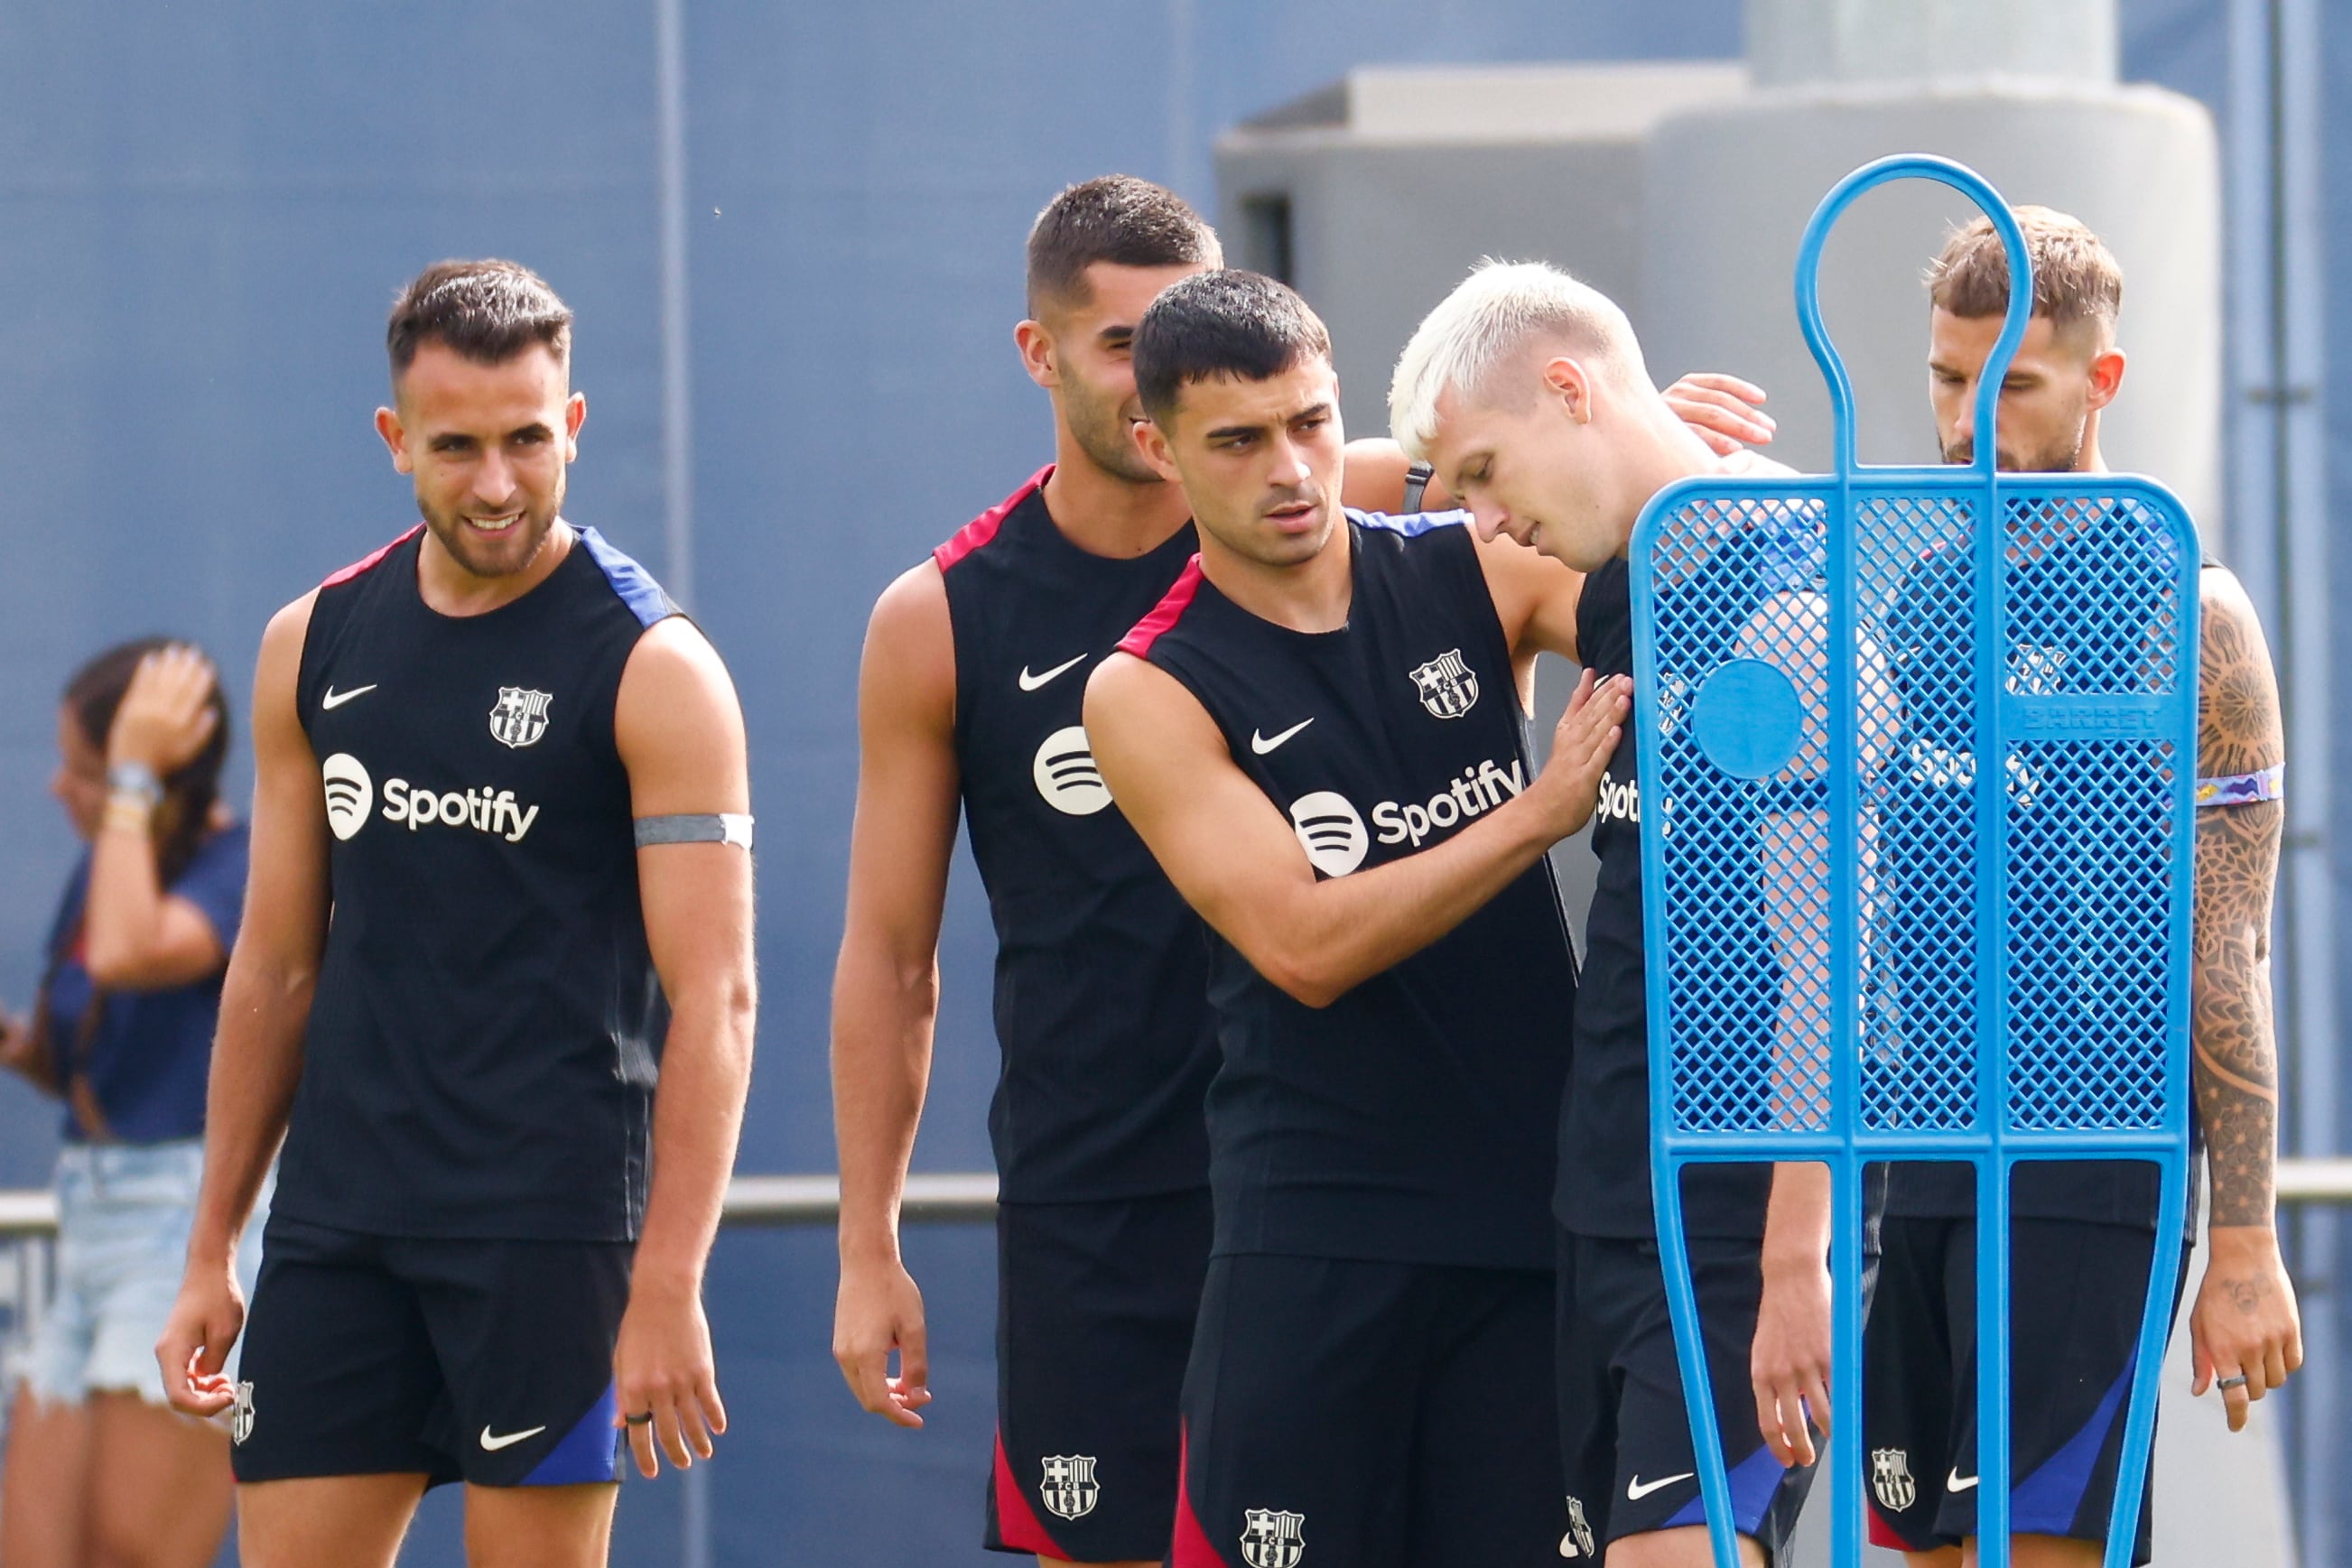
(2083, 1233)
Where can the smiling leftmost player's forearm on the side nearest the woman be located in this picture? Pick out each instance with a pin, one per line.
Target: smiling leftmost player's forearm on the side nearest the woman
(250, 1092)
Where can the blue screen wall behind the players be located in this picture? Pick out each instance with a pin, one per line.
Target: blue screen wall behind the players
(203, 213)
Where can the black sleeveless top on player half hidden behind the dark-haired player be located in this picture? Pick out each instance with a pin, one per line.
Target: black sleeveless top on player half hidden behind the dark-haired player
(1102, 981)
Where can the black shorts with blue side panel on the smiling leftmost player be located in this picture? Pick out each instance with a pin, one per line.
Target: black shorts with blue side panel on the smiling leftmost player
(483, 1362)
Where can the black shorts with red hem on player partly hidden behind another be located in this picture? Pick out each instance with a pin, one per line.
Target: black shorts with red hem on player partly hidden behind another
(1095, 1322)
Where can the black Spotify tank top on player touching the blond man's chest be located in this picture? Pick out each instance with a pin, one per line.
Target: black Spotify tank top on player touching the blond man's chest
(1410, 1120)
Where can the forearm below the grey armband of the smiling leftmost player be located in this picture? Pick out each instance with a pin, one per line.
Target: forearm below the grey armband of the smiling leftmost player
(697, 1120)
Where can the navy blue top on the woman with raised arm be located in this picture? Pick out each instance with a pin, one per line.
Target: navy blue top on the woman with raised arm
(152, 1050)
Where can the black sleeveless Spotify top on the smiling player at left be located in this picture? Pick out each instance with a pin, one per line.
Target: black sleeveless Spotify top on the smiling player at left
(488, 1024)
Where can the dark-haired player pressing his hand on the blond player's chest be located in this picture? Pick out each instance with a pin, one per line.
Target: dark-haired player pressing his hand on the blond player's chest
(1321, 739)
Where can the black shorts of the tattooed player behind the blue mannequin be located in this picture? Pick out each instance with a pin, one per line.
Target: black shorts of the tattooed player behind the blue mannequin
(2078, 1294)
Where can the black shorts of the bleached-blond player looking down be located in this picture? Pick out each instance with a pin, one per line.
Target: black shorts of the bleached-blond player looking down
(1624, 1428)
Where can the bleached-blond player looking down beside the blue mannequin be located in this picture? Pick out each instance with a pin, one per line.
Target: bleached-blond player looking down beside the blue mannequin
(1528, 394)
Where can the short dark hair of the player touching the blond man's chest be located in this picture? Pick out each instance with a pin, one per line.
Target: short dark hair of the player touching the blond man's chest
(1227, 323)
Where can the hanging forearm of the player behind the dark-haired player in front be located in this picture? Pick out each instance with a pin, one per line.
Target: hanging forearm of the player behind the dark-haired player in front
(881, 1068)
